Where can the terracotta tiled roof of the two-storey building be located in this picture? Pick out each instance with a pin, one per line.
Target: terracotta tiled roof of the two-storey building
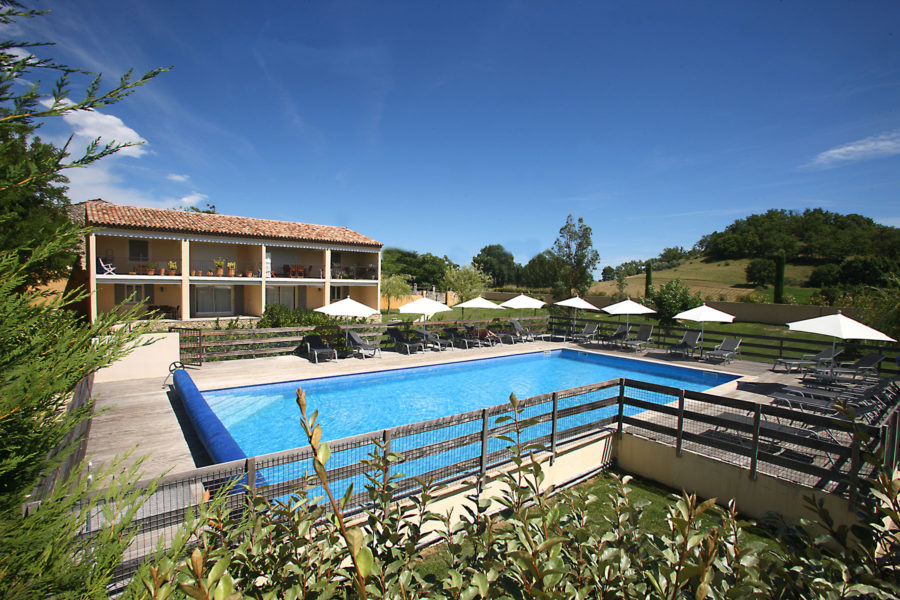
(106, 214)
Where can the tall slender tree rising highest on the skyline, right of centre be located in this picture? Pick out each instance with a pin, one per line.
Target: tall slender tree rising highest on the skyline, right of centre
(577, 258)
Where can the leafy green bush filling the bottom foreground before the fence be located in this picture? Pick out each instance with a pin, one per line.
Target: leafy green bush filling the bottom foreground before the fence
(531, 548)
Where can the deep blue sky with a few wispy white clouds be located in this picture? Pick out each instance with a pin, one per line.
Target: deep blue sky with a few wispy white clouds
(443, 127)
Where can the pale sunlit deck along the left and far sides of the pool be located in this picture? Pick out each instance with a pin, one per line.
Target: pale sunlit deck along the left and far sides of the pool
(144, 417)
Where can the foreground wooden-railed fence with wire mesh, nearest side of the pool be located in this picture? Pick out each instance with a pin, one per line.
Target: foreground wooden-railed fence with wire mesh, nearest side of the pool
(810, 450)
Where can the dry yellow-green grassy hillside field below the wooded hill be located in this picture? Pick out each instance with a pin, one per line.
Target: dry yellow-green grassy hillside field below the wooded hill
(723, 280)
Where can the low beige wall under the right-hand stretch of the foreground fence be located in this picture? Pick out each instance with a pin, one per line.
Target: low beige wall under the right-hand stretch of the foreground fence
(714, 479)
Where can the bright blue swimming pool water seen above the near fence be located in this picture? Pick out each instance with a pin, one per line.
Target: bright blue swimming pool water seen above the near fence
(265, 418)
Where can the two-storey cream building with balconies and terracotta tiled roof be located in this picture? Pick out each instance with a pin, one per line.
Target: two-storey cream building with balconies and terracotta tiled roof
(191, 265)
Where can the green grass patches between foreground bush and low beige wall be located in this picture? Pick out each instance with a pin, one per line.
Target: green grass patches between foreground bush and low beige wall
(653, 520)
